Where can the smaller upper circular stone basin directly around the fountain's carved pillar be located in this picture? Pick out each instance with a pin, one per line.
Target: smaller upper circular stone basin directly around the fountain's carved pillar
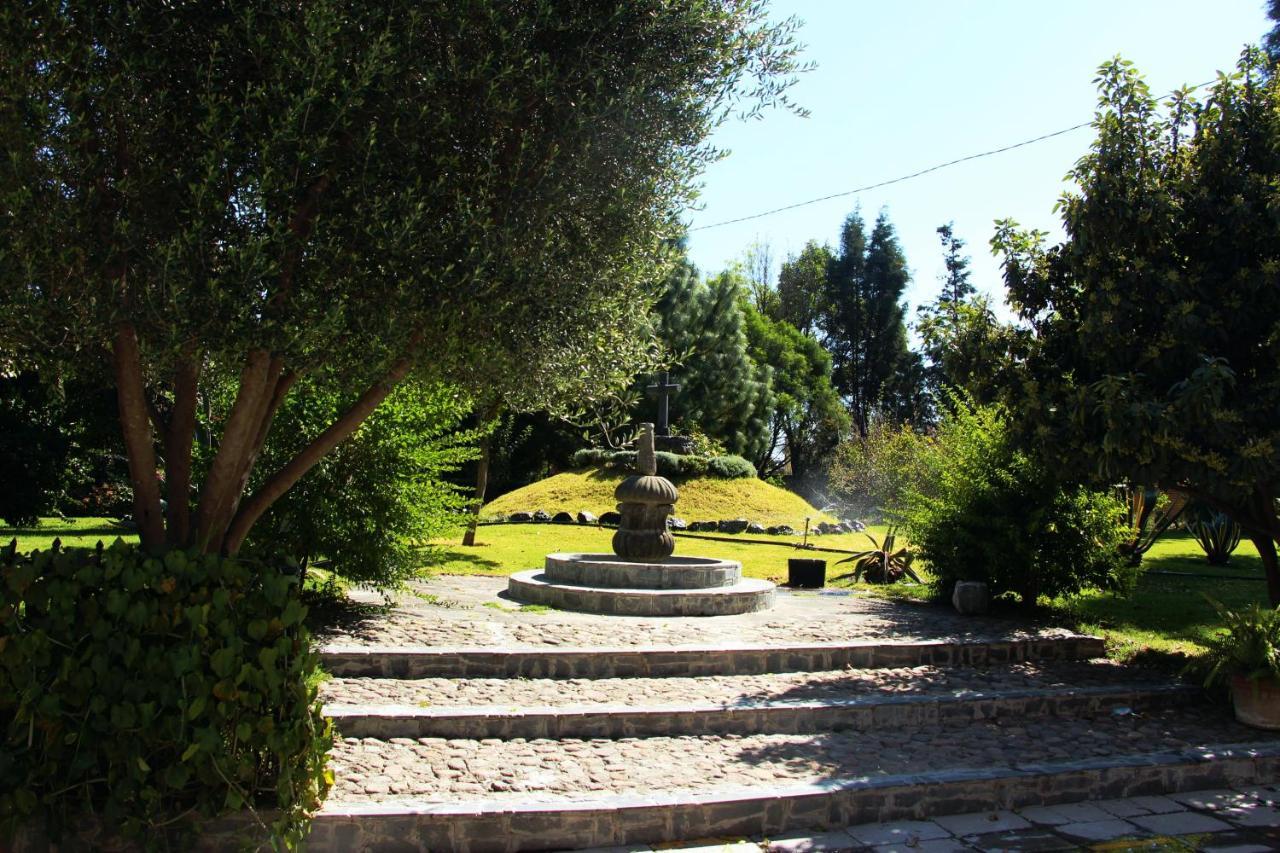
(670, 573)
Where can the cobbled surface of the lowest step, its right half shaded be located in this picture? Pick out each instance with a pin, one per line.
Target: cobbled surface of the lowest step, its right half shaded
(551, 772)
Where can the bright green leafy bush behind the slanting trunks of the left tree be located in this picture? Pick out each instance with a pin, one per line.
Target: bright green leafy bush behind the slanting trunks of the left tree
(371, 507)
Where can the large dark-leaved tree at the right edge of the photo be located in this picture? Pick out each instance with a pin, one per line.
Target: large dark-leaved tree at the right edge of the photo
(1155, 355)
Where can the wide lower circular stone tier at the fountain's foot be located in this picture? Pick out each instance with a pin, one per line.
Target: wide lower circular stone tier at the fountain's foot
(747, 596)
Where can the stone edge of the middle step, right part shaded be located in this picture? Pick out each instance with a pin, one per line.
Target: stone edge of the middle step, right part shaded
(861, 714)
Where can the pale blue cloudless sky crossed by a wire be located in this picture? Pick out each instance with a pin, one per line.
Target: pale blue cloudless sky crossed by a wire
(904, 85)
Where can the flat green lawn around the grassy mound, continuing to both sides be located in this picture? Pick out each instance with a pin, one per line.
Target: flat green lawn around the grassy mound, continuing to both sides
(1168, 617)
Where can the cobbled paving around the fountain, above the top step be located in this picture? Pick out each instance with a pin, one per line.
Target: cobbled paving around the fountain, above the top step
(468, 612)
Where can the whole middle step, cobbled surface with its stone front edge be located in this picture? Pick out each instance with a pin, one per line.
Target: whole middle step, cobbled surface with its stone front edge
(739, 704)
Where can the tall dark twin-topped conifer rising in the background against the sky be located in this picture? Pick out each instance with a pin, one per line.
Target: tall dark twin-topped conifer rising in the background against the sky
(863, 320)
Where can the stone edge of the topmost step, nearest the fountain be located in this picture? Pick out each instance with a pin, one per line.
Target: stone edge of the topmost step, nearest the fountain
(660, 662)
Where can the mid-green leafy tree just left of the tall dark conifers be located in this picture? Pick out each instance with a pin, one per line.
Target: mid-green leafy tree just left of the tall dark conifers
(808, 419)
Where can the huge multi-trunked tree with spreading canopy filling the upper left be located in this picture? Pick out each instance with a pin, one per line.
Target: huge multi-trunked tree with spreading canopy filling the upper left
(351, 193)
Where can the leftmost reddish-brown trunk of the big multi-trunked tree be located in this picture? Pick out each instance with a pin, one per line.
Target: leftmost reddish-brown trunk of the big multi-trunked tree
(136, 427)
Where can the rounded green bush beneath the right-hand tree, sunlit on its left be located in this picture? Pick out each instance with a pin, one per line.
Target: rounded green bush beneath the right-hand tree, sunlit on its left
(982, 510)
